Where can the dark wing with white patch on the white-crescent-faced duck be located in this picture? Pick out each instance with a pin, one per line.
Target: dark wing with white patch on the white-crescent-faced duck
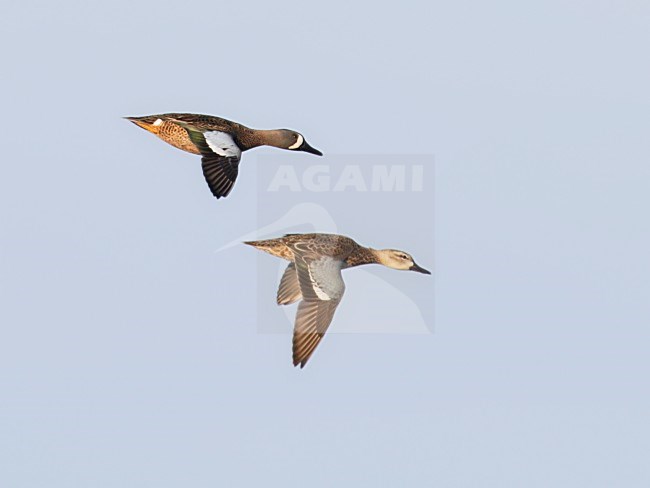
(220, 159)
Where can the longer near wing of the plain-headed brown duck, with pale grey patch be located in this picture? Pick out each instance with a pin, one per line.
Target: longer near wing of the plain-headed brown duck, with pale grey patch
(322, 288)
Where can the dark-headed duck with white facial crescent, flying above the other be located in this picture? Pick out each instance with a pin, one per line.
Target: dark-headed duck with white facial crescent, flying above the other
(220, 143)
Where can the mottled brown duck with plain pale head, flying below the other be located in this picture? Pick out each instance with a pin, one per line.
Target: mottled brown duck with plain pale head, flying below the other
(314, 277)
